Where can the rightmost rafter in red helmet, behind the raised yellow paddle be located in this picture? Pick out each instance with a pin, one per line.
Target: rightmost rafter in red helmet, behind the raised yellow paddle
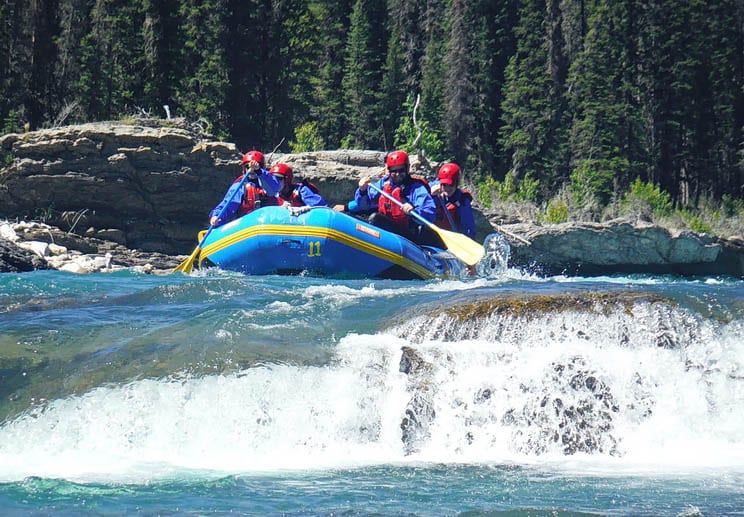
(454, 204)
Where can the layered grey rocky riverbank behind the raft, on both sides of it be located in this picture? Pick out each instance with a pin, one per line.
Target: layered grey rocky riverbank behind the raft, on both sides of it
(110, 195)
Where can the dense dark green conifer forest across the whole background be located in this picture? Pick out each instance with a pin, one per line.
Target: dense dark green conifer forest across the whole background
(537, 97)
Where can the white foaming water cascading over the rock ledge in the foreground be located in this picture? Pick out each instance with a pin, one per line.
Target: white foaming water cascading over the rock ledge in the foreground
(677, 407)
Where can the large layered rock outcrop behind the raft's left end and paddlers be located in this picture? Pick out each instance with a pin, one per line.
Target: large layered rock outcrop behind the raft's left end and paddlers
(148, 185)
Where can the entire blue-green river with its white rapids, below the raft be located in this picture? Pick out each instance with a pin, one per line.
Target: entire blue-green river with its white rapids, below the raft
(506, 394)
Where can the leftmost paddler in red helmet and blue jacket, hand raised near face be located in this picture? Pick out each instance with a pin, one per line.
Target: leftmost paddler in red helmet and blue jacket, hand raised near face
(260, 189)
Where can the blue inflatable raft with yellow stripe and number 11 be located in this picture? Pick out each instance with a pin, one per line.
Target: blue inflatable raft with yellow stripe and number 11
(275, 240)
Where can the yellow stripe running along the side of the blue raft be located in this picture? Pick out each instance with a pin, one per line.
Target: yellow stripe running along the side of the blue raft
(316, 231)
